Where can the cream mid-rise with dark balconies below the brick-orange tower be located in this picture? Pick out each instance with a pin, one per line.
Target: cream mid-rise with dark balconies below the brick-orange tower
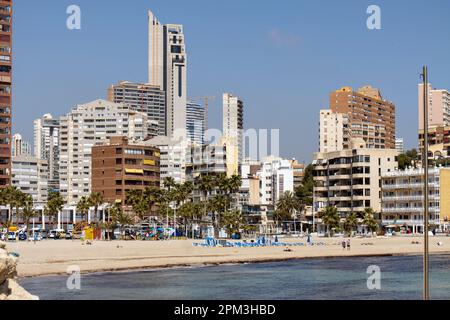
(350, 180)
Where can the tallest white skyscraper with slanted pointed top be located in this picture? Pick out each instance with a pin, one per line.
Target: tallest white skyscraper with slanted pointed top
(167, 63)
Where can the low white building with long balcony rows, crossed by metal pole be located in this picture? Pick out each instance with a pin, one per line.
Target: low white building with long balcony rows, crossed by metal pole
(403, 201)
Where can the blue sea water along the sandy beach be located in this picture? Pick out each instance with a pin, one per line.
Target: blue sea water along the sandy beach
(306, 279)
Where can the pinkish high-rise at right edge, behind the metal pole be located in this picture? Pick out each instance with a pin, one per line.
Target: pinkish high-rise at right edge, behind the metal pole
(438, 107)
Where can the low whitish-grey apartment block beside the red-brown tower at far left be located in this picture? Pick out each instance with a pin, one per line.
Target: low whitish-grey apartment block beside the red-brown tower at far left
(30, 175)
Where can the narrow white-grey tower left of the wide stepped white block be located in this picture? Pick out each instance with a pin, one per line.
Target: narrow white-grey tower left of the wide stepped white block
(46, 147)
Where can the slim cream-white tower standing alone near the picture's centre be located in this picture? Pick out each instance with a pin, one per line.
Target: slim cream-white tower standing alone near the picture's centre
(233, 130)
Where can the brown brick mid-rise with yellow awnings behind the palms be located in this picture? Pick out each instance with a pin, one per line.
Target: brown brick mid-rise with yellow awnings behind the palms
(118, 166)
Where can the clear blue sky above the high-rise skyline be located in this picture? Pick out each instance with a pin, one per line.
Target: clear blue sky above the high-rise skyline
(282, 57)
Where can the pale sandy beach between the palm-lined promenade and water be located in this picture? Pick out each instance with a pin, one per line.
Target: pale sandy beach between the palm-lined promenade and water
(54, 257)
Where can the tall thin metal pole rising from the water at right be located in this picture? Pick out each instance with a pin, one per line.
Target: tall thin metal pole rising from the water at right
(426, 291)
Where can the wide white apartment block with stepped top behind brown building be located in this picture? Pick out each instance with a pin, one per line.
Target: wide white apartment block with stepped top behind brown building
(85, 126)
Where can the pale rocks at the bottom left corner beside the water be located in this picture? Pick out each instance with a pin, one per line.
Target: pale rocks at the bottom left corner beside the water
(9, 287)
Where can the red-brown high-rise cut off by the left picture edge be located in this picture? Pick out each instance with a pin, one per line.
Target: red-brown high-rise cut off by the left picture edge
(6, 12)
